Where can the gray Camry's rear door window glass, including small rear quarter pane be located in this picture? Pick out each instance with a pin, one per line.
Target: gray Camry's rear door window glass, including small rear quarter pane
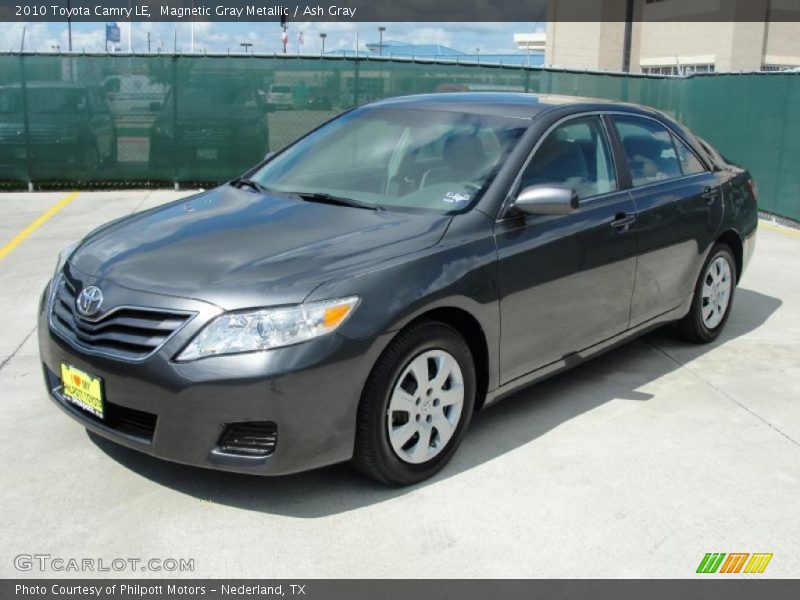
(654, 154)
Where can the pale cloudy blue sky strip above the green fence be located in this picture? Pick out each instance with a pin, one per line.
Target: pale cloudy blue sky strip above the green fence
(483, 38)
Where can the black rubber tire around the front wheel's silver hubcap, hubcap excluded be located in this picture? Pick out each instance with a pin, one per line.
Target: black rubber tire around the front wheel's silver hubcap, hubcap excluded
(374, 455)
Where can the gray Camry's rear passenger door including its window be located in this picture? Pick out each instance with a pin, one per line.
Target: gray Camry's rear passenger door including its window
(679, 205)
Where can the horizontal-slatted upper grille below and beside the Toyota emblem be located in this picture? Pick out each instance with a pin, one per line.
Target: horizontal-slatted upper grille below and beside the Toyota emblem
(131, 333)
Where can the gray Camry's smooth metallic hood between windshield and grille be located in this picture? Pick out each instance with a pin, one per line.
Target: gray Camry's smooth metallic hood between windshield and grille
(236, 248)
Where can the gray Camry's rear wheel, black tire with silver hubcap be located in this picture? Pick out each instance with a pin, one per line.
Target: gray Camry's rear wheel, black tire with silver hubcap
(713, 297)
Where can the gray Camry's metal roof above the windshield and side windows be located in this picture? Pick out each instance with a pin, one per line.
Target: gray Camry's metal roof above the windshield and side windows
(506, 104)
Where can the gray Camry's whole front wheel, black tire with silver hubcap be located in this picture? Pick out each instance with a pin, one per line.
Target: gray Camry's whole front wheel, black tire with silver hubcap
(416, 405)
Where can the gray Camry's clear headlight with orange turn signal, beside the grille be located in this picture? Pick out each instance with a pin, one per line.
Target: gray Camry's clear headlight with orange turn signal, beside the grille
(267, 328)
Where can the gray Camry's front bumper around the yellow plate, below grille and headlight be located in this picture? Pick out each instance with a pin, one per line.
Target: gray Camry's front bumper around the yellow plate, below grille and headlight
(311, 391)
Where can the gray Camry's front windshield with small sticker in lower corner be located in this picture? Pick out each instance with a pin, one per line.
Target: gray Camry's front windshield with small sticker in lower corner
(428, 160)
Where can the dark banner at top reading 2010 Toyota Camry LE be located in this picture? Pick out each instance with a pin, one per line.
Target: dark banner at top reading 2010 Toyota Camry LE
(401, 10)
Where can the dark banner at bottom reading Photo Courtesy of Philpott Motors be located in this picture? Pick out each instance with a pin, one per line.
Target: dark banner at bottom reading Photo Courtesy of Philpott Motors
(713, 588)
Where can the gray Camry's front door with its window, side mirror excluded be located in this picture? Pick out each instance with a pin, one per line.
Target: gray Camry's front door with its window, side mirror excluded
(566, 281)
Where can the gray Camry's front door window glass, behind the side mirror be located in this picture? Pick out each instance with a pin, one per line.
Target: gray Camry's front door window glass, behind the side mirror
(575, 154)
